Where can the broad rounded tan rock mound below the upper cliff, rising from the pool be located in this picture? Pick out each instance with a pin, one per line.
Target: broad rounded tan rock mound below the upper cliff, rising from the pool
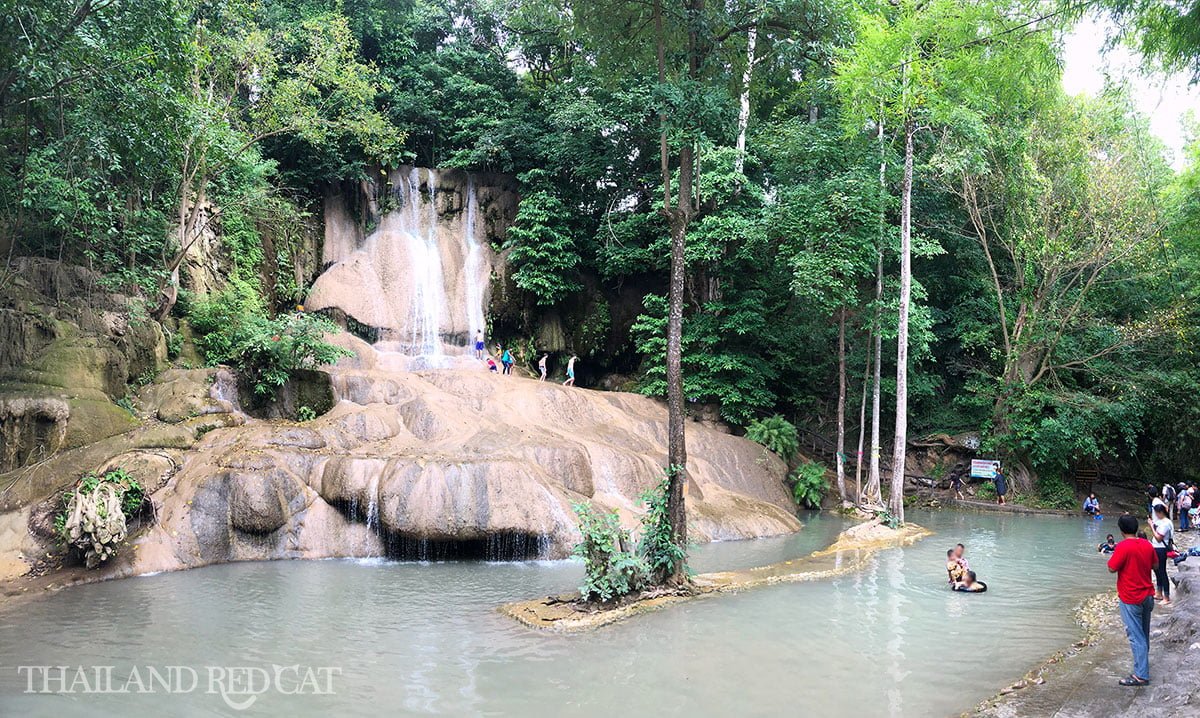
(445, 464)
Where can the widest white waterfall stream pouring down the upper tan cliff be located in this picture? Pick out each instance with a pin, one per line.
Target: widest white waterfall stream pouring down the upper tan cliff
(428, 283)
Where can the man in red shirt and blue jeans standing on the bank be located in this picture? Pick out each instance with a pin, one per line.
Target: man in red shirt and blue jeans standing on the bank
(1133, 563)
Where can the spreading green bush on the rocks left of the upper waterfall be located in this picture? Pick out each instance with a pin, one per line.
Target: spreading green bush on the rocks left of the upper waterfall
(265, 351)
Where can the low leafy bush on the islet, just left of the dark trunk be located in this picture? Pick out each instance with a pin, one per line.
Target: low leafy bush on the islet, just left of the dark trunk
(610, 570)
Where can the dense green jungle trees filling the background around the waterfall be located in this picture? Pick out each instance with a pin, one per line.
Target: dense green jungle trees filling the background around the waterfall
(808, 143)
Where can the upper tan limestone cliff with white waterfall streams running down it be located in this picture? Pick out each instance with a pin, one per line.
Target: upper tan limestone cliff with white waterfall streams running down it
(413, 270)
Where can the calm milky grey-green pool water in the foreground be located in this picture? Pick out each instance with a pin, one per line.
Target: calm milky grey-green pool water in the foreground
(415, 639)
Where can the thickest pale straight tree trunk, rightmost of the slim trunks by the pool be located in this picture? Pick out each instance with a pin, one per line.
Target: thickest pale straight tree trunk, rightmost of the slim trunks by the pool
(899, 450)
